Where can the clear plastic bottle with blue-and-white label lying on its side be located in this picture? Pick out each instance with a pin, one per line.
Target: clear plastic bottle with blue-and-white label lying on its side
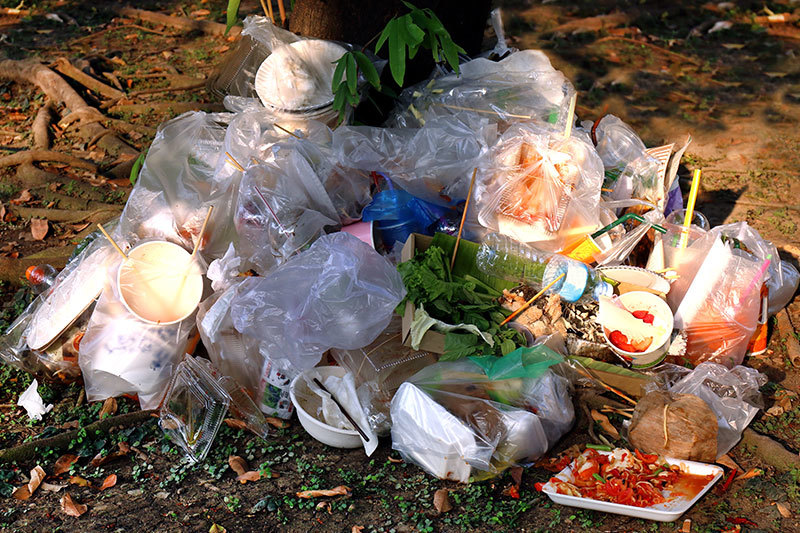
(503, 257)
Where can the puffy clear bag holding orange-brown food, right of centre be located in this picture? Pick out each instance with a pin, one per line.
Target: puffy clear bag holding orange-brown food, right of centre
(544, 189)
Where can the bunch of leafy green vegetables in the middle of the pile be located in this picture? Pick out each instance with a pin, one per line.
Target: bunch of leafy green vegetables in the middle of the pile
(456, 300)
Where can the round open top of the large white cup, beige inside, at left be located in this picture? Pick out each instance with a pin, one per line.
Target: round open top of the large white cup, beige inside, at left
(158, 283)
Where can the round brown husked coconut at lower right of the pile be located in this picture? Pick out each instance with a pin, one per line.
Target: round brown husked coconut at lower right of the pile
(691, 427)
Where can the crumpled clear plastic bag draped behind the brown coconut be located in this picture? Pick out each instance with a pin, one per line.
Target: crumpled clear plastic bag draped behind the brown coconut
(732, 394)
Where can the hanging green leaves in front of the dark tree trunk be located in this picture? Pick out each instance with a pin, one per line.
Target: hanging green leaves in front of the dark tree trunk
(405, 35)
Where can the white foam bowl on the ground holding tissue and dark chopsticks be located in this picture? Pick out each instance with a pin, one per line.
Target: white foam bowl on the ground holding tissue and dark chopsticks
(306, 407)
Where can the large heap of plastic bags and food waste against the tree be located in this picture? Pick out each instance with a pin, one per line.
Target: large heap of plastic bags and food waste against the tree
(447, 279)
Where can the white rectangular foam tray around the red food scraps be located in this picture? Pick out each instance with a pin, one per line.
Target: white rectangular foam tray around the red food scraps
(663, 512)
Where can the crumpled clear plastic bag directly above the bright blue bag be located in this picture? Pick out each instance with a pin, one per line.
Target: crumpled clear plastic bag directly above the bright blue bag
(434, 162)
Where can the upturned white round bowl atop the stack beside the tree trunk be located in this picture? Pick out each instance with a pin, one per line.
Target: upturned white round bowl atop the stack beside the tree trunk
(296, 77)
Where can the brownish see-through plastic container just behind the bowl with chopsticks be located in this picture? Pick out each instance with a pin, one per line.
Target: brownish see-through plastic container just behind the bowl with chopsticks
(379, 369)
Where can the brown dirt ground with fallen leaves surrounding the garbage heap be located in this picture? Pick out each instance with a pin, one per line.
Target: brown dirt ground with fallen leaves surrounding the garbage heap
(714, 71)
